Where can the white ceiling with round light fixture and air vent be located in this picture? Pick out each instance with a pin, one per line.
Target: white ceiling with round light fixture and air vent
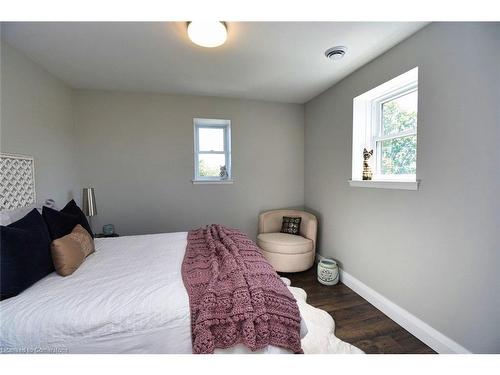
(278, 61)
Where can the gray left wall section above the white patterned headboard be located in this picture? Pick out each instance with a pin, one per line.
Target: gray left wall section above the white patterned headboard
(36, 119)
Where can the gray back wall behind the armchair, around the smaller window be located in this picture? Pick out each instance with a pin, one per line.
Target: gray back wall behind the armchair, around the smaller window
(137, 151)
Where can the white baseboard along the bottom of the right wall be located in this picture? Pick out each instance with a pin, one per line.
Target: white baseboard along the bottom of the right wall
(418, 328)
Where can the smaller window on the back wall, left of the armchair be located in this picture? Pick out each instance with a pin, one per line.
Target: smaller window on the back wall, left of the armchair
(212, 150)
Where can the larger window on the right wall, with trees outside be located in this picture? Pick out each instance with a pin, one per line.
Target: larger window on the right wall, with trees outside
(385, 121)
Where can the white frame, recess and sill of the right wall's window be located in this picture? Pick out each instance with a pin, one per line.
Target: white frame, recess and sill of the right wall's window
(367, 132)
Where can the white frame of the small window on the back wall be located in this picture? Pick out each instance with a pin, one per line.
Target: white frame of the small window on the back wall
(204, 123)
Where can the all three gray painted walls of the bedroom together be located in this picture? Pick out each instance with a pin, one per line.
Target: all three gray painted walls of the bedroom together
(435, 252)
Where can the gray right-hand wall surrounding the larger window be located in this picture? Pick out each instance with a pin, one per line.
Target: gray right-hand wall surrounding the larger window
(435, 251)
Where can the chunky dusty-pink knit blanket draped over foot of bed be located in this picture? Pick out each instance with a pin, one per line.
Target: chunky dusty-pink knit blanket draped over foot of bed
(235, 295)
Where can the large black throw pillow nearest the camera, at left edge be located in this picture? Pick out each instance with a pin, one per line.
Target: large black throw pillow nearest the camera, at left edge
(25, 254)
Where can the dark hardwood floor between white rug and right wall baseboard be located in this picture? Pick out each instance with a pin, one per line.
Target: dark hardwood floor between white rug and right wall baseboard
(357, 321)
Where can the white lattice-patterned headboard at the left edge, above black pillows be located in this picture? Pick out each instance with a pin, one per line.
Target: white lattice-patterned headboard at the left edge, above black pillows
(18, 181)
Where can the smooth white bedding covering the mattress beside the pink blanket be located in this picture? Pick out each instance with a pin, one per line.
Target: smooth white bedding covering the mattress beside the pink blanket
(127, 297)
